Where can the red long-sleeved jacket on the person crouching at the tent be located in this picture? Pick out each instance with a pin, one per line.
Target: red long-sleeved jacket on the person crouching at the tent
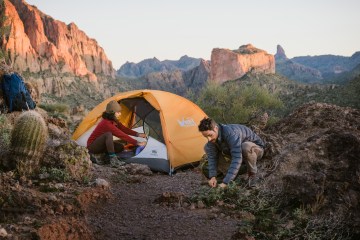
(120, 131)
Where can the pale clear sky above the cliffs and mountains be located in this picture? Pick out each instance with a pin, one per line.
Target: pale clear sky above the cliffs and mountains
(134, 30)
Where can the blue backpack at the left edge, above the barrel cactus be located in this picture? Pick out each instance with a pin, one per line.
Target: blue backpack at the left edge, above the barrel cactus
(15, 93)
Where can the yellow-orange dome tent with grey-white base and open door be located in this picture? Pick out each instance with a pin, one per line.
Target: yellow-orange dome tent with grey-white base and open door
(169, 120)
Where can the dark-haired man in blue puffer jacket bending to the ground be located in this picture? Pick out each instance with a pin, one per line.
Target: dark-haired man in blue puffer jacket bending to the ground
(234, 142)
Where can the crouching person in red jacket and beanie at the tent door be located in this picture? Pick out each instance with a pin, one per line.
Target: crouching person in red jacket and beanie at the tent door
(101, 139)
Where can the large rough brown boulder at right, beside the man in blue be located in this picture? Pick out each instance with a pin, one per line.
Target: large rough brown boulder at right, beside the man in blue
(312, 161)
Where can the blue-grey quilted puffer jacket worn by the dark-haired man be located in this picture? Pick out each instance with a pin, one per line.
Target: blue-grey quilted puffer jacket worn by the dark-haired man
(228, 143)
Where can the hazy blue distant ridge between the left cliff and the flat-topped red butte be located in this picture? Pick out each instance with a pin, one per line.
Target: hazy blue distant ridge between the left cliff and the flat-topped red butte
(135, 70)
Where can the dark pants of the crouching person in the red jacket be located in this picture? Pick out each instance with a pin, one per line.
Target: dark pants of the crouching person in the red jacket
(105, 144)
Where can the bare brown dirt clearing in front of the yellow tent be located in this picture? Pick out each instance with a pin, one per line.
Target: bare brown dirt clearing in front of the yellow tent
(135, 211)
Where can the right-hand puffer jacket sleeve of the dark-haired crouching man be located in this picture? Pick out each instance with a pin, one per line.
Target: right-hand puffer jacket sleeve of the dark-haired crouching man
(234, 142)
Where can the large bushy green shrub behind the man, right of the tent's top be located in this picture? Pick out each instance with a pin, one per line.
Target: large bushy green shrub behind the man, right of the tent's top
(237, 104)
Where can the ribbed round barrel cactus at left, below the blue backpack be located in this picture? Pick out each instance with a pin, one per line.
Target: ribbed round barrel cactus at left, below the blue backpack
(28, 140)
